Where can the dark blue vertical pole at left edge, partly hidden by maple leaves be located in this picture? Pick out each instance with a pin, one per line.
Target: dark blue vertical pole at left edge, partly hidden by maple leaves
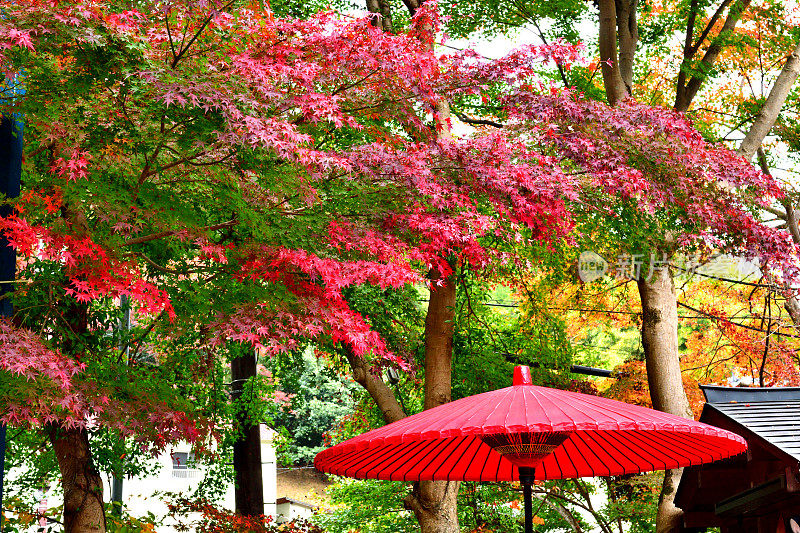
(10, 176)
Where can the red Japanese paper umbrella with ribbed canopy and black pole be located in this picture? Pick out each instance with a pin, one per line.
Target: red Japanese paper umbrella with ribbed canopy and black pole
(526, 432)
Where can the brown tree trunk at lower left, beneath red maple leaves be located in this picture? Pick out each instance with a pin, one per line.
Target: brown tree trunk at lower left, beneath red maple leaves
(82, 485)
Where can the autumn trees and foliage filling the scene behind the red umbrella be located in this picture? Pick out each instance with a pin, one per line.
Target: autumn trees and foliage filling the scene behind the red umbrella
(246, 178)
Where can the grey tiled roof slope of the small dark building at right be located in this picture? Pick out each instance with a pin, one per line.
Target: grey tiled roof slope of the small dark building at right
(772, 414)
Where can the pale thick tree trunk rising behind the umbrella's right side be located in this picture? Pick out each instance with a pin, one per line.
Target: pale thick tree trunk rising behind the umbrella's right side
(660, 342)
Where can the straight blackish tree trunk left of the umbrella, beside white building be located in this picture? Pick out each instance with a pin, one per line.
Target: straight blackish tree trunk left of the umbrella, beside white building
(247, 448)
